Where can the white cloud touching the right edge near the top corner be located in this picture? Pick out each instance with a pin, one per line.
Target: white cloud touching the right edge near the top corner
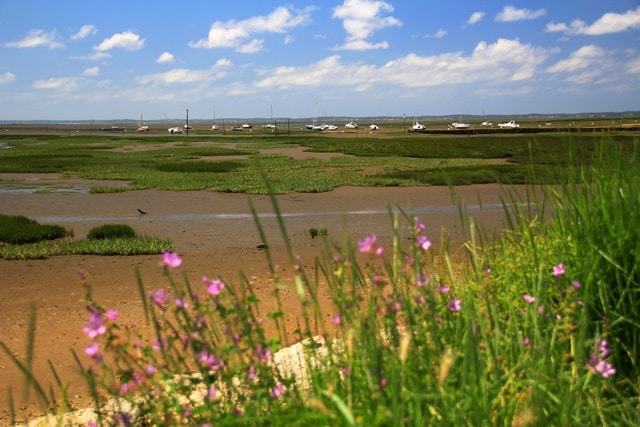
(606, 24)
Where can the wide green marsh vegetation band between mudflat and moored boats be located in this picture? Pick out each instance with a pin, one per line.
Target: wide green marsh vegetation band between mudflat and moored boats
(400, 160)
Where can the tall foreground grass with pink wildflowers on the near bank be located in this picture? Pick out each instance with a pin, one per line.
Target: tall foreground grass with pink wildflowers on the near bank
(538, 327)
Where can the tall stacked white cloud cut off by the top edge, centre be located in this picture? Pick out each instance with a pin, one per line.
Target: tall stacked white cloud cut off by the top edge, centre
(362, 18)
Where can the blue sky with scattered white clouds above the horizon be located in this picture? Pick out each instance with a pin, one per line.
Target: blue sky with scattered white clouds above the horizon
(96, 60)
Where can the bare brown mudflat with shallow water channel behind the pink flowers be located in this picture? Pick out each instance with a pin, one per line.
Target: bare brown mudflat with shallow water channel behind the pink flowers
(216, 236)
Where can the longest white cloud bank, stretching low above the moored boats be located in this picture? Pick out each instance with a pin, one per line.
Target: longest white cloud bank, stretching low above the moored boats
(503, 61)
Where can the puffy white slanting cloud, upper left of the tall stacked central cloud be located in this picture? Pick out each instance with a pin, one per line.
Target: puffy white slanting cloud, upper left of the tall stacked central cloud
(234, 34)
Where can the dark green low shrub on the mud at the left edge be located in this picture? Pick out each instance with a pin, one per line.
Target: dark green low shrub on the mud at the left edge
(17, 229)
